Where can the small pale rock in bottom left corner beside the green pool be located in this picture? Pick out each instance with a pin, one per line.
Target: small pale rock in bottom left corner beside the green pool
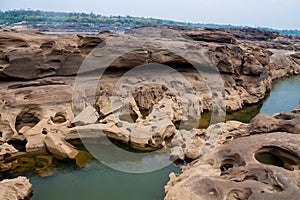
(15, 189)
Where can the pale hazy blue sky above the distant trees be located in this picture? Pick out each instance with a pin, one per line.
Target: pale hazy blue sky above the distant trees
(282, 14)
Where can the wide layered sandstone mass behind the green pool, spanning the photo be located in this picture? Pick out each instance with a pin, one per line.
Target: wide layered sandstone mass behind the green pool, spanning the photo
(38, 71)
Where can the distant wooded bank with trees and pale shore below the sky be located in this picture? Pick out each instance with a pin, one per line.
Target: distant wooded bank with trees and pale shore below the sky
(83, 22)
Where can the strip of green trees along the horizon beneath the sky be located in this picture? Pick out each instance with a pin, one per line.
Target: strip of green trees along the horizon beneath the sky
(12, 17)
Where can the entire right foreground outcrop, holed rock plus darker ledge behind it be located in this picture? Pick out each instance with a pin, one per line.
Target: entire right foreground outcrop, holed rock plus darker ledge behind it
(263, 165)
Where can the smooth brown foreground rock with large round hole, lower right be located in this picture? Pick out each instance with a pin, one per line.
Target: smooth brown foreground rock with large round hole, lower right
(254, 167)
